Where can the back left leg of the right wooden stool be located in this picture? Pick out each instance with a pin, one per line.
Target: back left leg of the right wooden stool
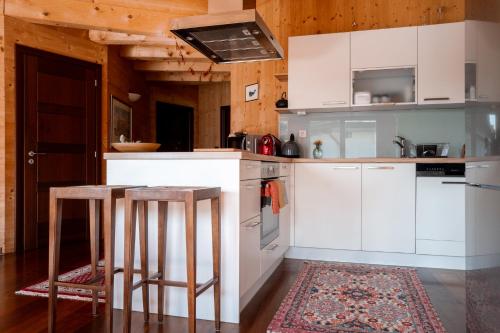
(143, 240)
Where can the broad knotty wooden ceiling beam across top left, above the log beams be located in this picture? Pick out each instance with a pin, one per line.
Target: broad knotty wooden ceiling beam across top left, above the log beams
(99, 15)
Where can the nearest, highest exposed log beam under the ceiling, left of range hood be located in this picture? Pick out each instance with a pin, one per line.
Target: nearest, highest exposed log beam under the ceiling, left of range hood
(121, 38)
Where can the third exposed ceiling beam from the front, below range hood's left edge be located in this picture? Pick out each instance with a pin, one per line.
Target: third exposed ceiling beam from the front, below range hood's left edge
(179, 66)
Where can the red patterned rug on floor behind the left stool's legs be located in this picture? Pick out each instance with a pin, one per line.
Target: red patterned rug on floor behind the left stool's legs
(79, 275)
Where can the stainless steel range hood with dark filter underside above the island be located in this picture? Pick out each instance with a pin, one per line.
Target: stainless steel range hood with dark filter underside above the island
(239, 36)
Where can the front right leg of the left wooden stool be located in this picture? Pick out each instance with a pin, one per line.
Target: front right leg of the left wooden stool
(109, 258)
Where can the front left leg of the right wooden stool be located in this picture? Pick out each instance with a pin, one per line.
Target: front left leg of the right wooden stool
(128, 265)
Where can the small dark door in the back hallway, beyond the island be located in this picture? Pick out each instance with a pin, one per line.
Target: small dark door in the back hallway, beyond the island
(174, 127)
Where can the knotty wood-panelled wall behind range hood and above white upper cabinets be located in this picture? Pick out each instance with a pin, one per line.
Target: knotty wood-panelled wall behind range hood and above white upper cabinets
(305, 17)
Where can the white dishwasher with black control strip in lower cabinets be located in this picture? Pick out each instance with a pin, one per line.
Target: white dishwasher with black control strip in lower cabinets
(440, 215)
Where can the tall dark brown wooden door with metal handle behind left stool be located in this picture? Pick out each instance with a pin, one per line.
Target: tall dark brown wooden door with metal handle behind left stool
(58, 108)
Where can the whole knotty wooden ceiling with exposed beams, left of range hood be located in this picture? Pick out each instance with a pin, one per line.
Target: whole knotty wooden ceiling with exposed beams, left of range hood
(141, 28)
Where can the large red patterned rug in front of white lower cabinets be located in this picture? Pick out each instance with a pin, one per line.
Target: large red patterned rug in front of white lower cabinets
(341, 298)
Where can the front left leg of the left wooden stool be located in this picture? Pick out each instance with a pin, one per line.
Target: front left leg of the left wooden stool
(55, 212)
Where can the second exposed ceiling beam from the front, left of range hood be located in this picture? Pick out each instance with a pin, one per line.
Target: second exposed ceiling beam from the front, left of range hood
(177, 52)
